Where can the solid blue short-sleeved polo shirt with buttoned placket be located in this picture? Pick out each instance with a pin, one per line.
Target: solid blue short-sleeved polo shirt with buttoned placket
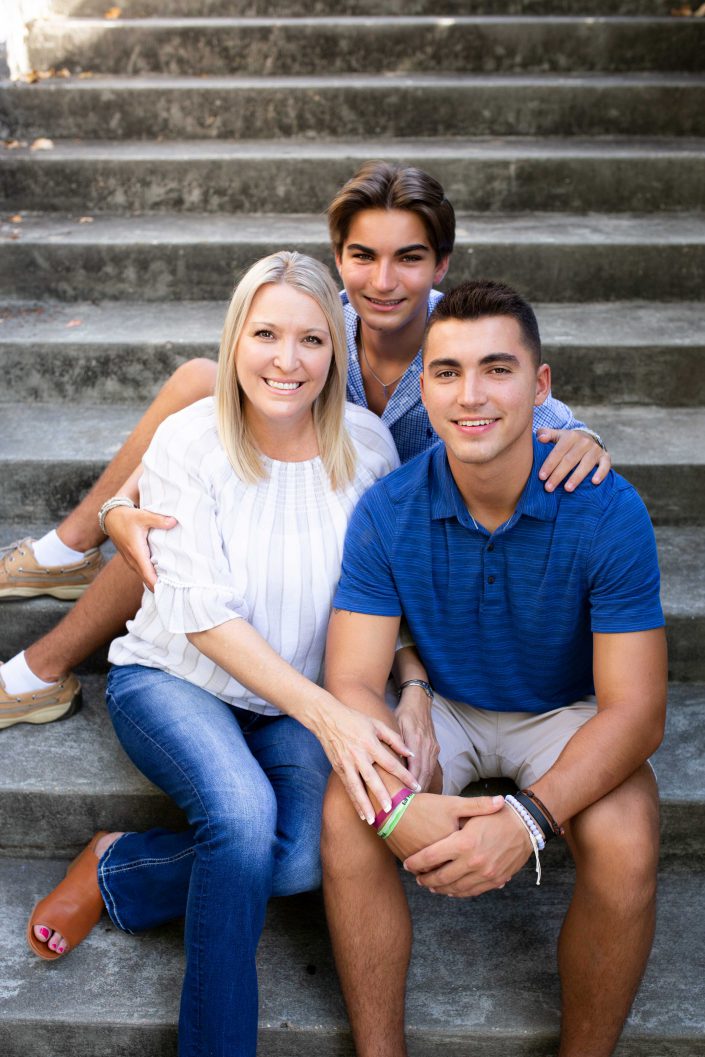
(504, 622)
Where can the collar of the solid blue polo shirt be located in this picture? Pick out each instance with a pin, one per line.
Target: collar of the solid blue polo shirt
(448, 503)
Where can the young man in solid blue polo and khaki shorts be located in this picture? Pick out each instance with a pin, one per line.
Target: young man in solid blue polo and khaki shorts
(537, 620)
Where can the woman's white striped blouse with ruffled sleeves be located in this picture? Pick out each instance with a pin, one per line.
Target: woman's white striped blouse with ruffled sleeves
(268, 553)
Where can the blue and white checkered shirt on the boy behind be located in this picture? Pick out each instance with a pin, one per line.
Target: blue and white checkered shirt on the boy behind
(405, 416)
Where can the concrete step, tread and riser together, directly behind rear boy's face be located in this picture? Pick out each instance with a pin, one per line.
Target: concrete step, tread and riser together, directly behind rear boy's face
(550, 257)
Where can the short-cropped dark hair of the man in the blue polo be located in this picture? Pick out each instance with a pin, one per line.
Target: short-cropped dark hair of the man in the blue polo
(478, 299)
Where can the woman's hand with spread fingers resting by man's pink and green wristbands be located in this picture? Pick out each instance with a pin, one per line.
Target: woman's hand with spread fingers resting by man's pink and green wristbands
(355, 743)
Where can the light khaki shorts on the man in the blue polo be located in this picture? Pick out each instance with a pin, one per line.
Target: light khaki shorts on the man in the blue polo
(479, 744)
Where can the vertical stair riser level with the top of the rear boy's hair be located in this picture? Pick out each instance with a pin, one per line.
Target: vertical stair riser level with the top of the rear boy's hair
(643, 183)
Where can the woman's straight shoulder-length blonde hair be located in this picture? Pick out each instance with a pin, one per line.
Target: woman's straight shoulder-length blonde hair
(335, 444)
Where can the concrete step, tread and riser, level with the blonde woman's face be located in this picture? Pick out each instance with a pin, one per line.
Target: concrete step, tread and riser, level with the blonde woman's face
(626, 353)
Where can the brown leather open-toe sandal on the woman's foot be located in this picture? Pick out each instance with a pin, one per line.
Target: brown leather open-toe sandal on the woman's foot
(75, 906)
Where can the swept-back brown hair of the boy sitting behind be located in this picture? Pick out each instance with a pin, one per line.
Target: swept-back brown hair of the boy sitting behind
(379, 186)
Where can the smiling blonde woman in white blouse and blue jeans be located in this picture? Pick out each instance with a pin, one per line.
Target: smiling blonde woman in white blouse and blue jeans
(215, 690)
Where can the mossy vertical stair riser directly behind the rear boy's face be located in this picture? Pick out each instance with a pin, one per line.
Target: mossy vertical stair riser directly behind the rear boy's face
(159, 272)
